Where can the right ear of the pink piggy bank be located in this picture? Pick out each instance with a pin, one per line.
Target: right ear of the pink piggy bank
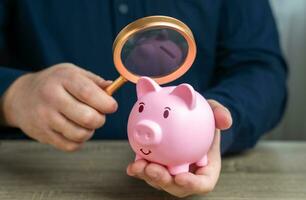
(186, 93)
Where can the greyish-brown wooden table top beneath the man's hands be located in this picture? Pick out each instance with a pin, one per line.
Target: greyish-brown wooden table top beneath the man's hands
(28, 170)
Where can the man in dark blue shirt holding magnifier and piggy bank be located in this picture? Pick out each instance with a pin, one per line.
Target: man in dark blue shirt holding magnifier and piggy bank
(239, 67)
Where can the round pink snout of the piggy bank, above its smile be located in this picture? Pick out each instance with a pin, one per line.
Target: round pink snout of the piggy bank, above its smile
(147, 132)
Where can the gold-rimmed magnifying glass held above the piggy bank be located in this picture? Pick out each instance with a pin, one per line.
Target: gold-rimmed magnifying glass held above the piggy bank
(159, 47)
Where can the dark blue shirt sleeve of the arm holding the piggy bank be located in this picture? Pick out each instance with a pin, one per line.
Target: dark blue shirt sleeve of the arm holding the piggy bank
(250, 76)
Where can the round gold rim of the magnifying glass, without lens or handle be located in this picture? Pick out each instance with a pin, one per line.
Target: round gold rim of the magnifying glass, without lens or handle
(154, 22)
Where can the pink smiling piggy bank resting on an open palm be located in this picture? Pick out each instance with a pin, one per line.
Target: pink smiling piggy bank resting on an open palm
(171, 126)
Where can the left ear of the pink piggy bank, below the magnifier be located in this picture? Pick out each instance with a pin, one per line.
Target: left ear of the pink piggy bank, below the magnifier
(146, 85)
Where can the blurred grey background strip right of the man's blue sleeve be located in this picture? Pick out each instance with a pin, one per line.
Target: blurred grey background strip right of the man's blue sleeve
(291, 21)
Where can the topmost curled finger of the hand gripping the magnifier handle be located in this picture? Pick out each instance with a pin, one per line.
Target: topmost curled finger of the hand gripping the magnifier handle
(86, 91)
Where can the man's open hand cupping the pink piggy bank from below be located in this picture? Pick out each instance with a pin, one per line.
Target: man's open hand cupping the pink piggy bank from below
(200, 180)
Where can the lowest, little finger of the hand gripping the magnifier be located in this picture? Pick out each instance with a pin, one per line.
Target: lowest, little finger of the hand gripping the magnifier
(59, 142)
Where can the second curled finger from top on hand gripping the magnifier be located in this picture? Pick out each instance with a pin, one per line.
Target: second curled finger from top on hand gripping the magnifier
(79, 113)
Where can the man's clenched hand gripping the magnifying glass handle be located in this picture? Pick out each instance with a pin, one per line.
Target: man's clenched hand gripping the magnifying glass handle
(61, 105)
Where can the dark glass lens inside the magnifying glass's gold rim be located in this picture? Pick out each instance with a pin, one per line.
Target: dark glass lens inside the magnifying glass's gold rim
(154, 52)
